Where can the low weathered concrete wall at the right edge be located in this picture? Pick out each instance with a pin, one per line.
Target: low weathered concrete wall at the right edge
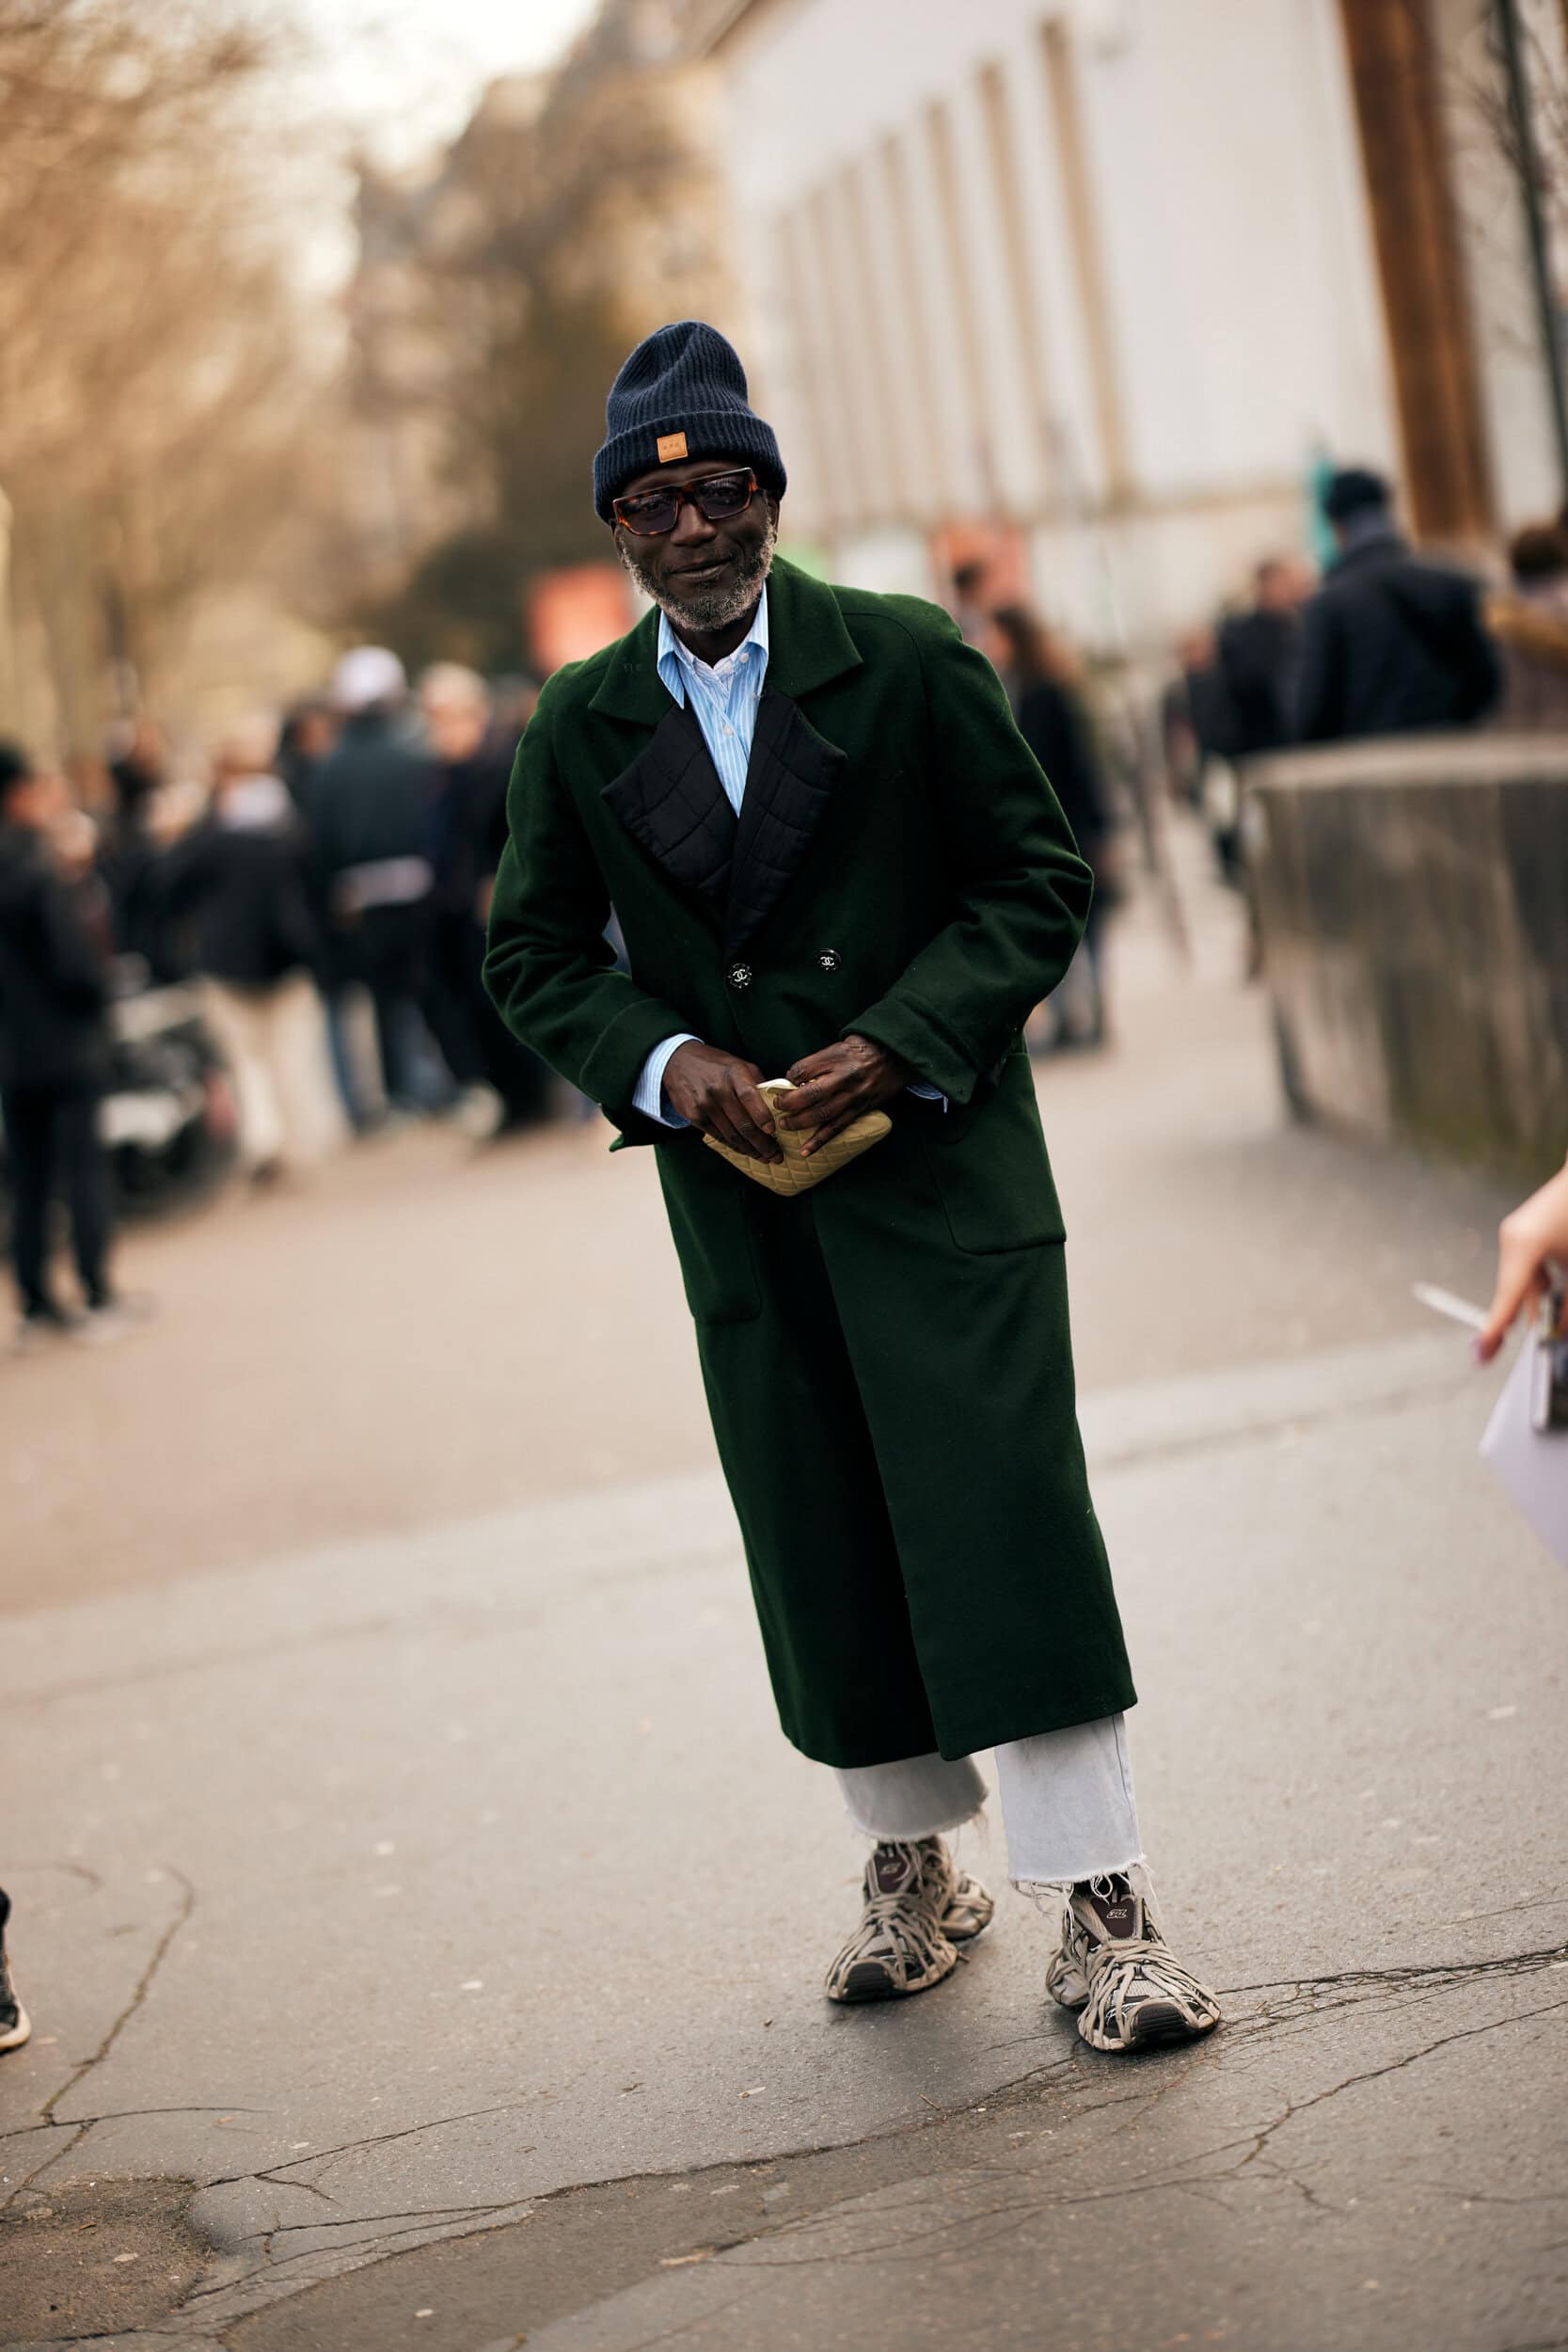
(1414, 907)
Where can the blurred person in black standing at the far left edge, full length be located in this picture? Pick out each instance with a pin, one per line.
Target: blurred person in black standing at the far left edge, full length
(55, 1053)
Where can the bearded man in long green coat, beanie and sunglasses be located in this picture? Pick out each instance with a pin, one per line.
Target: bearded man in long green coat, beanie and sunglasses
(836, 862)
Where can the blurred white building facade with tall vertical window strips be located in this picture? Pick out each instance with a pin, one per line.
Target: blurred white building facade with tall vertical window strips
(1090, 288)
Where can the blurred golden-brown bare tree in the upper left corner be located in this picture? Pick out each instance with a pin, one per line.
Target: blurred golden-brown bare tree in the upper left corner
(154, 354)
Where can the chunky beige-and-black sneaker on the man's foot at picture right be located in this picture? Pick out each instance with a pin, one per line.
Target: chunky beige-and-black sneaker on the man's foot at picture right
(1120, 1975)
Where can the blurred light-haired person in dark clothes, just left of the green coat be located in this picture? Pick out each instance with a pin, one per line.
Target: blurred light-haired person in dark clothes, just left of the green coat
(476, 766)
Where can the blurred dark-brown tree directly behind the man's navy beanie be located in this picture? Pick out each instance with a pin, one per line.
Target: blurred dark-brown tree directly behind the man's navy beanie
(497, 302)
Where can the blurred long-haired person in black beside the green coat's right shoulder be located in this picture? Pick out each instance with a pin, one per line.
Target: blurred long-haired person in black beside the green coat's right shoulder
(1054, 723)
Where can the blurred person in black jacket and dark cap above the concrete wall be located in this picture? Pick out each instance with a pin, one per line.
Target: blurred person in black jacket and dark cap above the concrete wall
(1391, 643)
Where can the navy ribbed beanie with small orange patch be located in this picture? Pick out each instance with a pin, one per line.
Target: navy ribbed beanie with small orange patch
(681, 394)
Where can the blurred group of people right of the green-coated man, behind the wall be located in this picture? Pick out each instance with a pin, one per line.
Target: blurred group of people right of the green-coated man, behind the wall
(1383, 643)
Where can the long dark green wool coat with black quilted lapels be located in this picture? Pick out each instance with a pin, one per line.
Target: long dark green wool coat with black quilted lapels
(887, 1358)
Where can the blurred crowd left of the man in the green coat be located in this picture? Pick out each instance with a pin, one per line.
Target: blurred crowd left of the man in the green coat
(281, 951)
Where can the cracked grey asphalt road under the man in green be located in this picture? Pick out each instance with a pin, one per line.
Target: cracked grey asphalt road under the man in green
(424, 1920)
